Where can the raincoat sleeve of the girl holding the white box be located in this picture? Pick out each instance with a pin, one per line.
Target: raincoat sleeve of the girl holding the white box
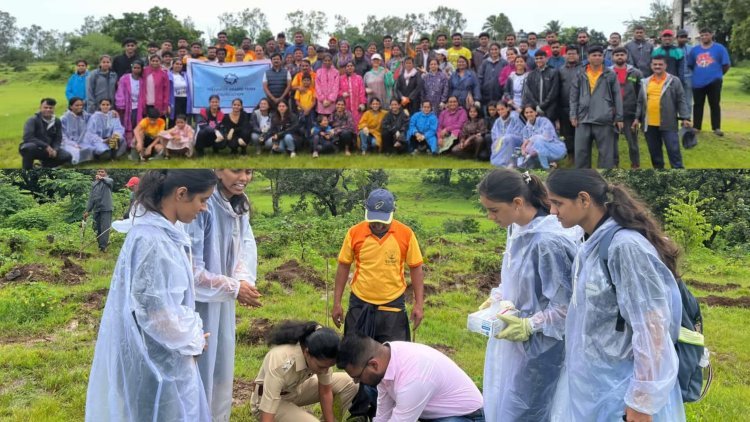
(554, 268)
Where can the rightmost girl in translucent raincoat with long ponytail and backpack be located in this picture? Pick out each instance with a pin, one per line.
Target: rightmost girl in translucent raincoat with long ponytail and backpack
(624, 316)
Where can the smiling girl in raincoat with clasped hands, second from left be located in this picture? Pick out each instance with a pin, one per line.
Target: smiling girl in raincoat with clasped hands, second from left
(225, 262)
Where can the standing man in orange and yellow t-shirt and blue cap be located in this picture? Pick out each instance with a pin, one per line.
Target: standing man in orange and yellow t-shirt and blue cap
(379, 247)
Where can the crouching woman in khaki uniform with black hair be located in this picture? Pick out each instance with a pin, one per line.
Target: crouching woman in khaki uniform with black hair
(297, 371)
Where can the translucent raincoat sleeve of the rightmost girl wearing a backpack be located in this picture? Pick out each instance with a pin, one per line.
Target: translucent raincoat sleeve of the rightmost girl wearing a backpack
(644, 301)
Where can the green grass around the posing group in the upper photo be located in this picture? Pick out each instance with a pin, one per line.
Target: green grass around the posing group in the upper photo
(21, 93)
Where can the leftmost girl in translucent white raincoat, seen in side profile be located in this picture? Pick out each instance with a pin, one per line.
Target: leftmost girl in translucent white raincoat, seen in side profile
(145, 365)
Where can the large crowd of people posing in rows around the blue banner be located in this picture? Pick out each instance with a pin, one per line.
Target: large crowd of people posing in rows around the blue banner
(515, 104)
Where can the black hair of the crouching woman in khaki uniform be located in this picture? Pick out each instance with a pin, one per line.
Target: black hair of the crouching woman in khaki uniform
(320, 342)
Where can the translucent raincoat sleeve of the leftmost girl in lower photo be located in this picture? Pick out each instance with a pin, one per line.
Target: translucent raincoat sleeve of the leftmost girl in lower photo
(158, 308)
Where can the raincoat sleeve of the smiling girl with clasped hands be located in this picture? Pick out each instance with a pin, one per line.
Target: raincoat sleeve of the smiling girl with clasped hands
(209, 286)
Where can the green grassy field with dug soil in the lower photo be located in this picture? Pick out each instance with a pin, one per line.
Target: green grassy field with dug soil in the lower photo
(48, 324)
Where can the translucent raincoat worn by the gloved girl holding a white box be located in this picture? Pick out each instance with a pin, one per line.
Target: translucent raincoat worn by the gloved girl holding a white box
(520, 377)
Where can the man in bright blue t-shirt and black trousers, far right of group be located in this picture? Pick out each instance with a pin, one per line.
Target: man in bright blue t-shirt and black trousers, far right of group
(709, 62)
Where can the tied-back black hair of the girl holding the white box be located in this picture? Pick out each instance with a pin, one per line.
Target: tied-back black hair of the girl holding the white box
(502, 185)
